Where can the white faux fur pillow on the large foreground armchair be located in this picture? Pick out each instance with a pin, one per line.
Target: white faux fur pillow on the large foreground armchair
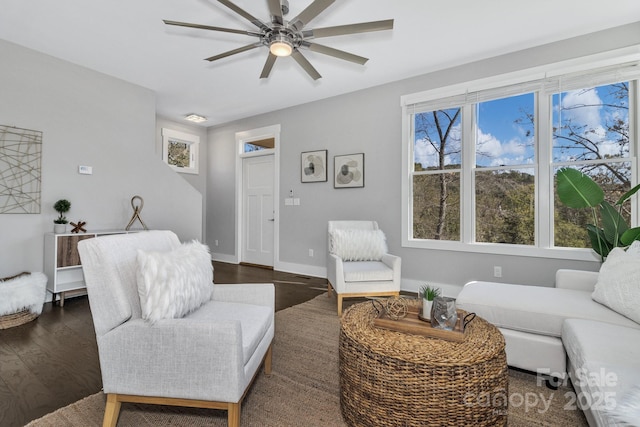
(172, 284)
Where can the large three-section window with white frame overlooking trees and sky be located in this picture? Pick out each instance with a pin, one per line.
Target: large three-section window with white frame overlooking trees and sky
(481, 165)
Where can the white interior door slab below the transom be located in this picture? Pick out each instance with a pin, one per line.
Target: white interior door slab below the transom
(258, 215)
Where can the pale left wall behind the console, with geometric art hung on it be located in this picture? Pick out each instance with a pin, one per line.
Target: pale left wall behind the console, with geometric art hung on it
(87, 118)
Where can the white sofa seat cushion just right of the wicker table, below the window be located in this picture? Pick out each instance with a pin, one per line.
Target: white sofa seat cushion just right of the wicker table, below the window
(535, 309)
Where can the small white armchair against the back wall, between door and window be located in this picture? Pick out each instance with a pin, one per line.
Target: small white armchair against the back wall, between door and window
(367, 276)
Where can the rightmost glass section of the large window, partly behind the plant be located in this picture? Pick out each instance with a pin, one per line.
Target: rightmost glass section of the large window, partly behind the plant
(591, 134)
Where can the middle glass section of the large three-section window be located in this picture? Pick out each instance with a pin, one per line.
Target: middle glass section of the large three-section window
(505, 170)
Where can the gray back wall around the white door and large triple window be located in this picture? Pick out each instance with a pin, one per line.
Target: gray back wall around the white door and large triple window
(369, 121)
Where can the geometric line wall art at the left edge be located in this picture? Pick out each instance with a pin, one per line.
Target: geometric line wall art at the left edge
(20, 170)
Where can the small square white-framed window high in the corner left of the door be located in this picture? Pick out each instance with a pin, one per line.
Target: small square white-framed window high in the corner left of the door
(180, 151)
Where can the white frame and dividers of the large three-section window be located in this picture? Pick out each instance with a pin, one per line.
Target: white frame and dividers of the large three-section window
(544, 183)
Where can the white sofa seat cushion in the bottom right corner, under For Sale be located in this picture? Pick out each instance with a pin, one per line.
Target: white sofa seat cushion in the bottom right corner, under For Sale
(604, 359)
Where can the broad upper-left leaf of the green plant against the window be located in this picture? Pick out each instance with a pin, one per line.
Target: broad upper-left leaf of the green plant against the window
(577, 190)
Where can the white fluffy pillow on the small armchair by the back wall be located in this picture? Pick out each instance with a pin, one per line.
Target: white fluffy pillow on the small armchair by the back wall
(358, 245)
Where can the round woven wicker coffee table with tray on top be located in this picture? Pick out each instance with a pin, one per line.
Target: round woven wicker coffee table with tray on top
(390, 378)
